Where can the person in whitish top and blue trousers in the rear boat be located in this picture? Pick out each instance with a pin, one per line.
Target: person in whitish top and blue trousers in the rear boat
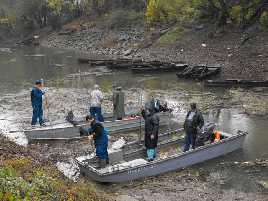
(96, 98)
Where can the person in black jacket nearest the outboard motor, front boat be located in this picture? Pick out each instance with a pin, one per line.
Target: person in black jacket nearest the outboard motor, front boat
(194, 121)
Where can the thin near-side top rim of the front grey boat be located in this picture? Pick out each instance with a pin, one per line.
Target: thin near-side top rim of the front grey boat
(229, 138)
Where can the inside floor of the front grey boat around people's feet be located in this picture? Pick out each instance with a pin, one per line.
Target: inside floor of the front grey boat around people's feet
(134, 154)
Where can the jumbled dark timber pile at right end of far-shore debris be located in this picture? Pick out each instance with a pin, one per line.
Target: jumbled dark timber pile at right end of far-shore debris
(200, 71)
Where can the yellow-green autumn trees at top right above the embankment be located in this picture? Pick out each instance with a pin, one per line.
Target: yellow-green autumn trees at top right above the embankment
(243, 13)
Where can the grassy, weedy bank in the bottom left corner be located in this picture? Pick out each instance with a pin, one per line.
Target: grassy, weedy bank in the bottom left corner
(25, 176)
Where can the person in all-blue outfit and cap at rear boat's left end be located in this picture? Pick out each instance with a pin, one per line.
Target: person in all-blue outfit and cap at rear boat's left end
(37, 103)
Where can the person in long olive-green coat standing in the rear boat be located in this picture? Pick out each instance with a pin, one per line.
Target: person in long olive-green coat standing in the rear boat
(119, 103)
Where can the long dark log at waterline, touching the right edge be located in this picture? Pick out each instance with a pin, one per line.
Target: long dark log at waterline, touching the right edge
(236, 83)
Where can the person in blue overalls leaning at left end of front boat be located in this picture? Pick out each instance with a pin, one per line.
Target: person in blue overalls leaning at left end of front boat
(100, 137)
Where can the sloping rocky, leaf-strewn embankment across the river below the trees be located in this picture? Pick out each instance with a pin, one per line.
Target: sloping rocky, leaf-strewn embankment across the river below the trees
(244, 55)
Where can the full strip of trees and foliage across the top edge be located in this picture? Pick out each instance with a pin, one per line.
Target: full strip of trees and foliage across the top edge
(34, 14)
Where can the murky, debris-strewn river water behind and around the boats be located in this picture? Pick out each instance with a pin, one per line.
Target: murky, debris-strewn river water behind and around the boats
(68, 84)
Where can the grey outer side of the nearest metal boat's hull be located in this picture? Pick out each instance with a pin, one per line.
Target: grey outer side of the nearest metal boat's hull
(172, 163)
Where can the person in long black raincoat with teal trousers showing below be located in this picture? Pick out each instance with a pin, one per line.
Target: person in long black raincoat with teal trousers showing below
(151, 129)
